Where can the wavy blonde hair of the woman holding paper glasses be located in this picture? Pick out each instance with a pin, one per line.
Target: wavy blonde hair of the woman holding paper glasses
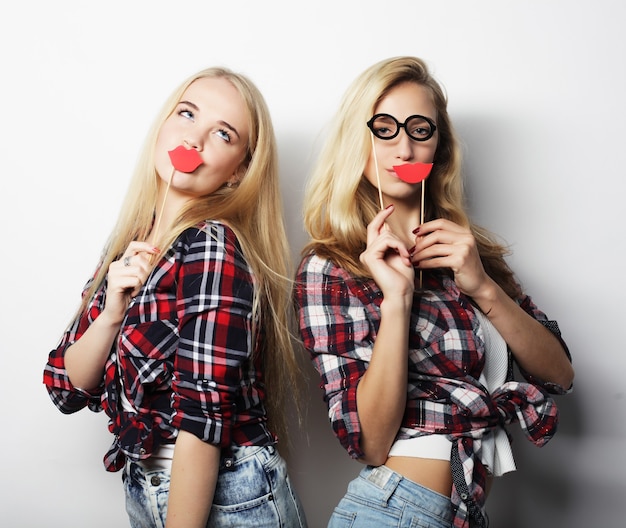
(340, 201)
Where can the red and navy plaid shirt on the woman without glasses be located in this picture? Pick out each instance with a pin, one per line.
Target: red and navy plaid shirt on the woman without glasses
(184, 357)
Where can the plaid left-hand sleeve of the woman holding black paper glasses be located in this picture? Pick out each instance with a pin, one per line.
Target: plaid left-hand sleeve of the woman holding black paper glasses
(338, 336)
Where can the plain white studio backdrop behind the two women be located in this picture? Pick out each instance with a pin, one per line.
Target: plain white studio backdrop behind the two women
(536, 90)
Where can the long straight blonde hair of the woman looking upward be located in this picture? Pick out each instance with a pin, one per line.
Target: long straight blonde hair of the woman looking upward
(253, 209)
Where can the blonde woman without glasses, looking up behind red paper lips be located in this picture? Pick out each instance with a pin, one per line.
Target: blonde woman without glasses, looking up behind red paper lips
(183, 337)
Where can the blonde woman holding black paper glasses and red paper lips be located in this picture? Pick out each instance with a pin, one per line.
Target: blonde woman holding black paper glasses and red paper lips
(411, 315)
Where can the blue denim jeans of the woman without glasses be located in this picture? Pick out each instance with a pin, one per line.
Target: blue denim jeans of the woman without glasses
(253, 490)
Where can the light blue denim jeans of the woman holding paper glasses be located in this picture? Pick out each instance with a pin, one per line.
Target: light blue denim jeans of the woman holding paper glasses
(382, 497)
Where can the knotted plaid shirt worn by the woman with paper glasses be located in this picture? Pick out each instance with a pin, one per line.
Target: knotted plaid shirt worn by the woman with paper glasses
(339, 318)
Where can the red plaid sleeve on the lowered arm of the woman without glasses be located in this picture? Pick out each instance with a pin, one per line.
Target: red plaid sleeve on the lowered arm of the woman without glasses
(215, 299)
